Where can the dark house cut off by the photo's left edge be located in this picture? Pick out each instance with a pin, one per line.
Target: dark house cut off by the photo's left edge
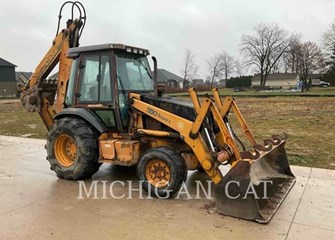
(7, 79)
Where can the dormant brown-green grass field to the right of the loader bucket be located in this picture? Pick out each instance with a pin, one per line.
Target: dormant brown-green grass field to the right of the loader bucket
(308, 121)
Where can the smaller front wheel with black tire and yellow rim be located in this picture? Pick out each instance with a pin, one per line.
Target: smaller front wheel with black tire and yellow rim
(162, 171)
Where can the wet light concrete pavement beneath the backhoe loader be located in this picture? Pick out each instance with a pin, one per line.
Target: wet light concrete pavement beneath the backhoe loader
(35, 204)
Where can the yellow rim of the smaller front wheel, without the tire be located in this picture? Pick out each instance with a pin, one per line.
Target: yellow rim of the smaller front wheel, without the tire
(158, 173)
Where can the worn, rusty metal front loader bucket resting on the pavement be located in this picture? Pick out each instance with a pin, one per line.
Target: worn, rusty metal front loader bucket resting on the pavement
(255, 187)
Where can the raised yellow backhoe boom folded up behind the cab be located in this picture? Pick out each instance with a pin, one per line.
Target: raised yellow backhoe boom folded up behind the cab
(38, 95)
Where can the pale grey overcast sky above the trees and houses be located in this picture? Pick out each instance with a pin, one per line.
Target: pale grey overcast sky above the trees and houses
(167, 28)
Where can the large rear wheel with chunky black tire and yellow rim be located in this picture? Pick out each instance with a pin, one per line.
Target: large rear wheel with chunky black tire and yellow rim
(72, 149)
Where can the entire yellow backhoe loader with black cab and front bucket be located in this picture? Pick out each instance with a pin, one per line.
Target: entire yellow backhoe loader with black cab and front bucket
(105, 107)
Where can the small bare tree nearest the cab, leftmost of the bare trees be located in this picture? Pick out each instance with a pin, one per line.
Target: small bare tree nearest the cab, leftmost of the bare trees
(190, 69)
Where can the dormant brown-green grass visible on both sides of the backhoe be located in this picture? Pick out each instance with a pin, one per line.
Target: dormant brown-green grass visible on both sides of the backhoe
(308, 121)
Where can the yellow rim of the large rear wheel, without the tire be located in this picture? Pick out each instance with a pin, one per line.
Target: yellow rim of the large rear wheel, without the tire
(65, 150)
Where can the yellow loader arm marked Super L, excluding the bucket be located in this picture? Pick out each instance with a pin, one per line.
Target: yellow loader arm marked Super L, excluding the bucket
(189, 131)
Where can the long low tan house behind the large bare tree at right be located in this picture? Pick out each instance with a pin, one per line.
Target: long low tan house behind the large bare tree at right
(278, 80)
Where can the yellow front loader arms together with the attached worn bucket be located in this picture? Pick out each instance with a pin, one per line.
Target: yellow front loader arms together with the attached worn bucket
(264, 163)
